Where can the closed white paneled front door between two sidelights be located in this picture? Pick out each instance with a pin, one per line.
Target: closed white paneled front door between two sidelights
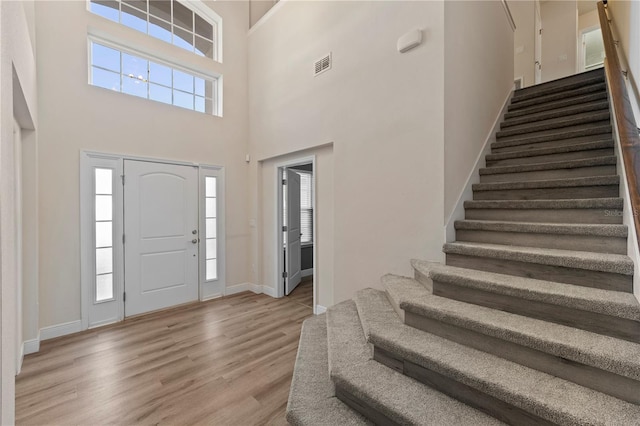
(161, 235)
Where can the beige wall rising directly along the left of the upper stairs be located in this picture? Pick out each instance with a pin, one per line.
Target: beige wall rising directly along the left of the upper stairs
(477, 82)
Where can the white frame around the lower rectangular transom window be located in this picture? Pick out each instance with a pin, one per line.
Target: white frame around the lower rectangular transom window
(95, 36)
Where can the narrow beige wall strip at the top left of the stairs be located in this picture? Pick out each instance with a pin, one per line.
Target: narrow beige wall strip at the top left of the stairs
(524, 14)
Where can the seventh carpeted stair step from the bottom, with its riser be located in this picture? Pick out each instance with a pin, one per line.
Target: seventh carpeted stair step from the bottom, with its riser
(596, 238)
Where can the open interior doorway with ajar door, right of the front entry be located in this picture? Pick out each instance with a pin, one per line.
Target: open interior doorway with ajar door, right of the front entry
(296, 202)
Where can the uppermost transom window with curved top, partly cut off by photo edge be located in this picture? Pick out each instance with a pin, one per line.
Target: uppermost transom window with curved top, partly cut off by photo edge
(167, 20)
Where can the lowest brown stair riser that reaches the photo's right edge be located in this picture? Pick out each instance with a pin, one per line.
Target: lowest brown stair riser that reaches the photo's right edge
(591, 377)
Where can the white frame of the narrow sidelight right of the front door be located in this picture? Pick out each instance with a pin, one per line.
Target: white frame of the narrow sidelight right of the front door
(211, 289)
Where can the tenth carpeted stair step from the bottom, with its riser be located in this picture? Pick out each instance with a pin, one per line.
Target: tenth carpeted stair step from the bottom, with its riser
(596, 166)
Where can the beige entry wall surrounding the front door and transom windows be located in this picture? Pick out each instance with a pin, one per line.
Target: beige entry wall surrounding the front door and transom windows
(77, 116)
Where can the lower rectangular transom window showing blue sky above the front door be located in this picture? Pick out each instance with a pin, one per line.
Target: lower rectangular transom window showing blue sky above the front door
(135, 75)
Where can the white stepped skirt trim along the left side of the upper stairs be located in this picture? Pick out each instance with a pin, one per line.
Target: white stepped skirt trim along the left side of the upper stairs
(474, 175)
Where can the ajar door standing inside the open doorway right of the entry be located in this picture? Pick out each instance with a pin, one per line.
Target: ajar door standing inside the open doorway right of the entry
(293, 248)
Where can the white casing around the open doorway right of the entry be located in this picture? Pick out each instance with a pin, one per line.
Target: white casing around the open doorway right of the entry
(278, 228)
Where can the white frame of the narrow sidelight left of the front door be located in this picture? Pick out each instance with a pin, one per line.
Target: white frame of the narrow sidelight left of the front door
(97, 313)
